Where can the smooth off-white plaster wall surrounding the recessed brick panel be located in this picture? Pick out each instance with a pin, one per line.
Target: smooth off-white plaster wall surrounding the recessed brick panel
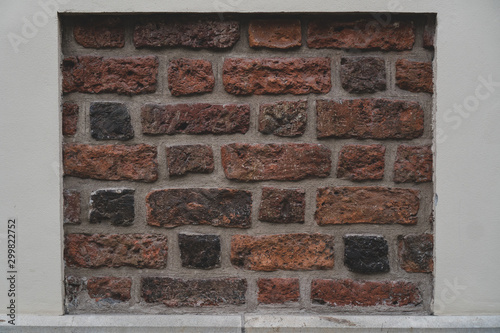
(468, 142)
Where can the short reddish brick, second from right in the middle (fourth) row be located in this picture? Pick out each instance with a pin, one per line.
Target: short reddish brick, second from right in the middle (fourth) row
(361, 162)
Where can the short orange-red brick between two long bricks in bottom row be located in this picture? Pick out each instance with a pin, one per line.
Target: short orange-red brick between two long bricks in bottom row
(278, 291)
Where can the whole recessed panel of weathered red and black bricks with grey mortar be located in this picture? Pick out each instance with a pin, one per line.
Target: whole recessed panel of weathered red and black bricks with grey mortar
(252, 164)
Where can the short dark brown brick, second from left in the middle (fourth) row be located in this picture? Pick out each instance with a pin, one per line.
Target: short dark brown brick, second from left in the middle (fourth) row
(189, 159)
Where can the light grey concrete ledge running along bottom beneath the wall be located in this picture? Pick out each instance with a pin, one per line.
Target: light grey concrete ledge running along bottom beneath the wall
(249, 323)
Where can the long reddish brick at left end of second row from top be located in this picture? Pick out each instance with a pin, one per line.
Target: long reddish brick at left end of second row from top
(91, 74)
